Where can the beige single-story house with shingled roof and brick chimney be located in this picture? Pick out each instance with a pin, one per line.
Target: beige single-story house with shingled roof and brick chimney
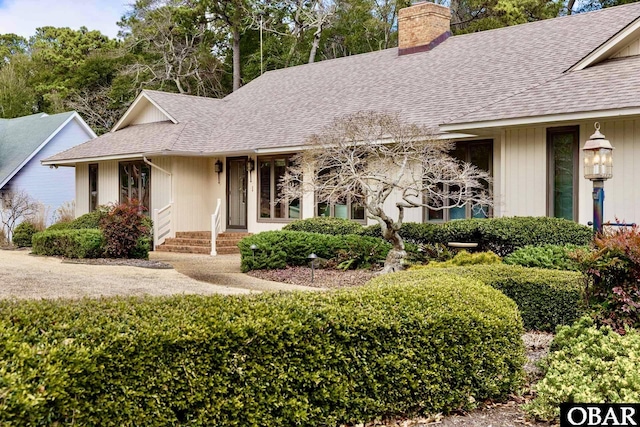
(518, 101)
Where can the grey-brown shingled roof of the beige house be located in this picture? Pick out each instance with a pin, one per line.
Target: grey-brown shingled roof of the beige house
(505, 72)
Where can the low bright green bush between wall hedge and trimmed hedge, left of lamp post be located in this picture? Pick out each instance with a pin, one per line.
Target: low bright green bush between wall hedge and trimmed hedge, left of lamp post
(554, 257)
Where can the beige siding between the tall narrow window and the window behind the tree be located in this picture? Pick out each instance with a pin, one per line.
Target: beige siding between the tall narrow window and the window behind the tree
(525, 173)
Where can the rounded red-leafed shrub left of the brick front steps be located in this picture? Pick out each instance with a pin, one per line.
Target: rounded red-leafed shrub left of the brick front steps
(123, 227)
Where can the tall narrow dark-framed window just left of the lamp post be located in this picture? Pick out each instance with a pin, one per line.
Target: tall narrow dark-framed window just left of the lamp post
(562, 182)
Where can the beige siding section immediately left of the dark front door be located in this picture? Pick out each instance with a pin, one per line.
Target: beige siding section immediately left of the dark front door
(193, 197)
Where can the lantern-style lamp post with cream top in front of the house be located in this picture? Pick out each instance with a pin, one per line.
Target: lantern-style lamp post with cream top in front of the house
(598, 167)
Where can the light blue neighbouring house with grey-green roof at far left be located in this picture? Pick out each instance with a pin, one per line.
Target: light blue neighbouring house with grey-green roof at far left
(25, 141)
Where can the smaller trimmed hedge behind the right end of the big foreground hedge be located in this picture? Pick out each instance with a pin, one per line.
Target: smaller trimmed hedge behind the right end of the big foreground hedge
(546, 298)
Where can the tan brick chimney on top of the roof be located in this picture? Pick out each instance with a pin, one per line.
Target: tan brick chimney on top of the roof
(422, 26)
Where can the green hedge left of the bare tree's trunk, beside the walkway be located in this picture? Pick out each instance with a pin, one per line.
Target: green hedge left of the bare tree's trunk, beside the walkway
(277, 249)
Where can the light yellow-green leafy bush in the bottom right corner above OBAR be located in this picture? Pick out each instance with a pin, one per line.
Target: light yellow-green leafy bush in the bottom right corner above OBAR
(588, 365)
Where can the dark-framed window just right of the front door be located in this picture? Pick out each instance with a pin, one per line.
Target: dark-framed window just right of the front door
(272, 205)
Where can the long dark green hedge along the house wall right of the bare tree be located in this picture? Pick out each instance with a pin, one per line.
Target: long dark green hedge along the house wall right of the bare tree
(499, 235)
